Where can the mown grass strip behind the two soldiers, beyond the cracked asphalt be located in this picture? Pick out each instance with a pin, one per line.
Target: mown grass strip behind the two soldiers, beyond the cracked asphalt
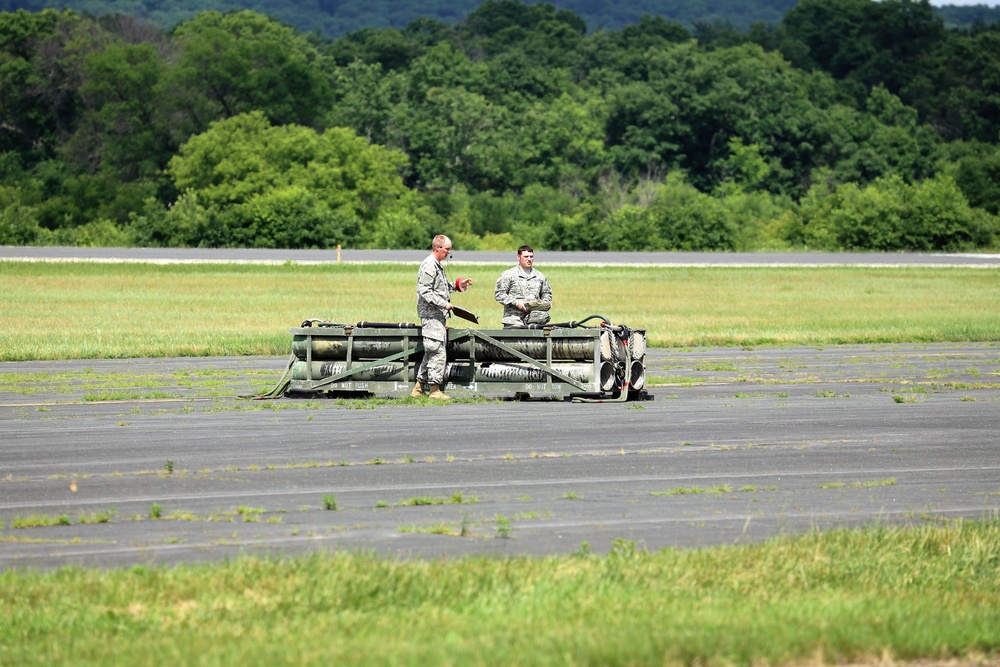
(89, 310)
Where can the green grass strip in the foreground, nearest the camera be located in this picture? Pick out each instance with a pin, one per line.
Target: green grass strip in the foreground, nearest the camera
(875, 596)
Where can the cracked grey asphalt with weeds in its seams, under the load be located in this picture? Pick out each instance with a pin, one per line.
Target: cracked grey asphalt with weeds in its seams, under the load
(738, 445)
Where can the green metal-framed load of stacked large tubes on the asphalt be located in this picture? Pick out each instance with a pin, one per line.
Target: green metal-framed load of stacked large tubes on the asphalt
(577, 362)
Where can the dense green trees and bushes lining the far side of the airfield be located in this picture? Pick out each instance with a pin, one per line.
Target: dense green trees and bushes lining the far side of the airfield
(852, 124)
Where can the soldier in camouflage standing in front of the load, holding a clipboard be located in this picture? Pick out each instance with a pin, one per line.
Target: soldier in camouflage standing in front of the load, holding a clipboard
(433, 303)
